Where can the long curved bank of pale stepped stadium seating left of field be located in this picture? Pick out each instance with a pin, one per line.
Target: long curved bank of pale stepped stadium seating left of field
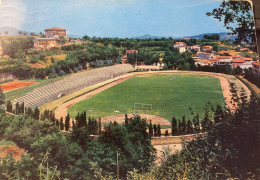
(71, 83)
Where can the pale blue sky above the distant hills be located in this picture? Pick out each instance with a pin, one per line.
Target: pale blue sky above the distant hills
(112, 18)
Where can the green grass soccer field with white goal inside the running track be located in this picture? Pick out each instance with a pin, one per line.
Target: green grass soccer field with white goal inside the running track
(170, 95)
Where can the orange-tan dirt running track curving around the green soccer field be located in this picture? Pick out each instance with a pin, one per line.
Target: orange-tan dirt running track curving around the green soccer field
(61, 111)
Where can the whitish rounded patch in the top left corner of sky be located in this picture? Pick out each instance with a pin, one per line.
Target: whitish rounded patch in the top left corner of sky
(12, 14)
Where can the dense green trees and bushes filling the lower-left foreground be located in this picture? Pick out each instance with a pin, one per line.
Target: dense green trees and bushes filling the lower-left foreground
(75, 155)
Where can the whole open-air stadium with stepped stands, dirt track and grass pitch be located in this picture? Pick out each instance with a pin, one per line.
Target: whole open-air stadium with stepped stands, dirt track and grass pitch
(111, 92)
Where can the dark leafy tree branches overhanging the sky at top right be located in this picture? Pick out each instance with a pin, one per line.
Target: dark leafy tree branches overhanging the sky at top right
(240, 14)
